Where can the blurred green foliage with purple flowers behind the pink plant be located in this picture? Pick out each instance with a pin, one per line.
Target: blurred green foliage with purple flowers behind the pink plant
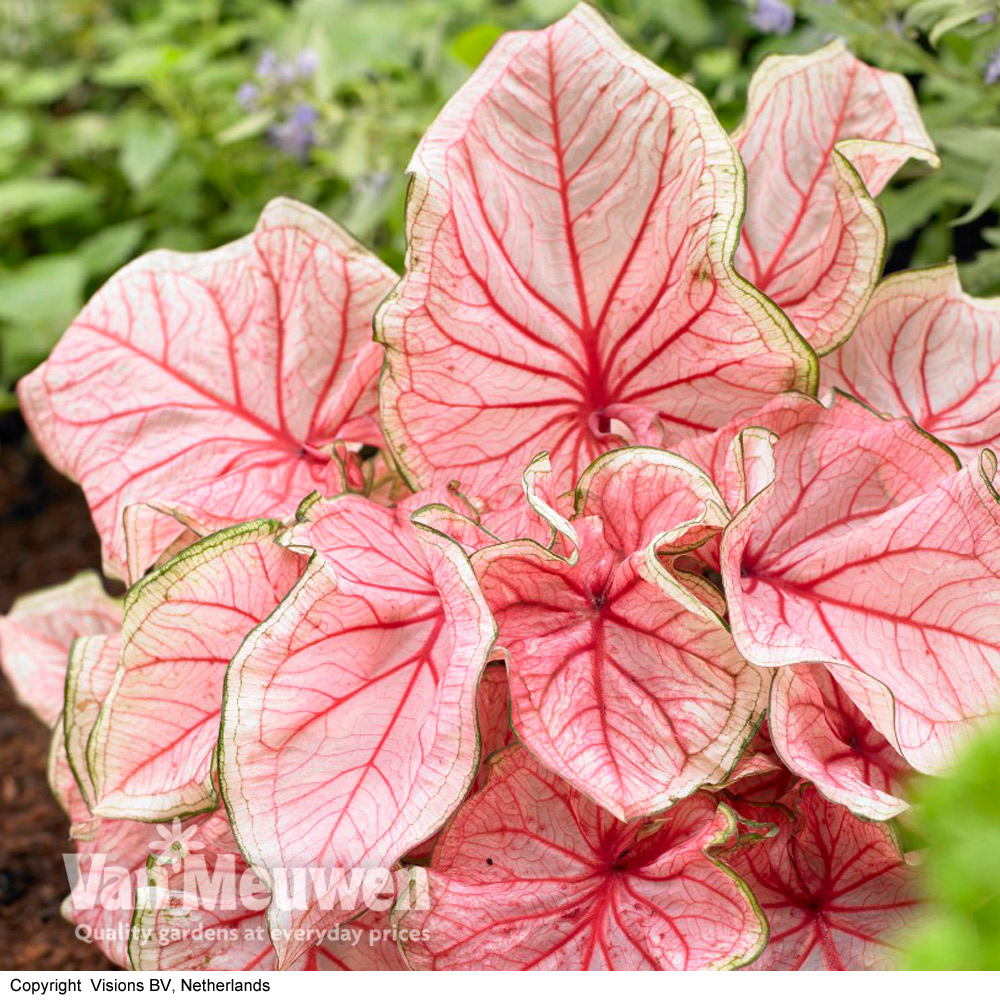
(132, 124)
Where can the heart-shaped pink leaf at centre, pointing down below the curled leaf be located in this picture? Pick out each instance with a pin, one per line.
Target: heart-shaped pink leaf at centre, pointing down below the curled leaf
(617, 686)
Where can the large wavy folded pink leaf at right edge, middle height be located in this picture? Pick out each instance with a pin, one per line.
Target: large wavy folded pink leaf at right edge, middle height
(871, 554)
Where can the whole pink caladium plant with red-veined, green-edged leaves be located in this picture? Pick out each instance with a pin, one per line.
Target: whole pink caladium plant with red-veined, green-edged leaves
(585, 635)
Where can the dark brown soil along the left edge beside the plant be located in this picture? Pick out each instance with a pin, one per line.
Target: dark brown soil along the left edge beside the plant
(45, 537)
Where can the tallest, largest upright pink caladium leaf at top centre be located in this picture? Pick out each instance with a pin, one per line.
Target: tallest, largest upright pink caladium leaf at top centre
(572, 220)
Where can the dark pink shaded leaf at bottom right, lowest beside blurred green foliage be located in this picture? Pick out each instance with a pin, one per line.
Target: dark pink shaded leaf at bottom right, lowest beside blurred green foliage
(836, 890)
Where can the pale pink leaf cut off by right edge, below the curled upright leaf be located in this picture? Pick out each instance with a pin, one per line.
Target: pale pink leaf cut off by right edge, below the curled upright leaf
(927, 350)
